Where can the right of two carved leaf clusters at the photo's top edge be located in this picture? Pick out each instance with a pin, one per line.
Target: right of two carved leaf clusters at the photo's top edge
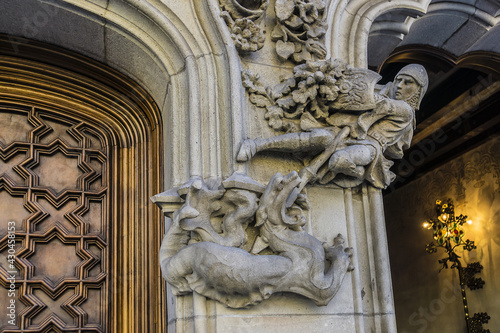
(299, 30)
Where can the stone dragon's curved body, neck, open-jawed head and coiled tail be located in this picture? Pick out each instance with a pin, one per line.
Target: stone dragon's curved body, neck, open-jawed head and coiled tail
(239, 279)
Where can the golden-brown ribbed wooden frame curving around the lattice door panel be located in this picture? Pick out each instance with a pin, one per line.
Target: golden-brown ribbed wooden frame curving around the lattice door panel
(33, 73)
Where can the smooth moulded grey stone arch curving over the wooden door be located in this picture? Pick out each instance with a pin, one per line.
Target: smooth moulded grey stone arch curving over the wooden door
(182, 69)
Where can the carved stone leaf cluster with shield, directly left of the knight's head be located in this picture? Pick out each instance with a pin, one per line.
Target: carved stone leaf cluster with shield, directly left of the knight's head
(316, 91)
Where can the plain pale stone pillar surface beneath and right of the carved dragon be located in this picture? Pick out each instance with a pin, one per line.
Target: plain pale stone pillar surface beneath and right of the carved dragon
(363, 303)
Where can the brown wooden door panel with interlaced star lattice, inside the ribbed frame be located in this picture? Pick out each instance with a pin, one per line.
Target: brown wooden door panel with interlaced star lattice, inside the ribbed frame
(54, 185)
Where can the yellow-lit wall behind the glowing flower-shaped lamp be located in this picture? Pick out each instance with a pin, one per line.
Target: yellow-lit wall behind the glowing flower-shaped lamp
(426, 299)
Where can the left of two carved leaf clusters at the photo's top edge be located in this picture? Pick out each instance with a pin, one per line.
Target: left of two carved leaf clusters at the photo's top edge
(243, 18)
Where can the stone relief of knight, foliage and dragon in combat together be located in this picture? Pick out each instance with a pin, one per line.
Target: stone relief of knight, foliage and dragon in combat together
(239, 242)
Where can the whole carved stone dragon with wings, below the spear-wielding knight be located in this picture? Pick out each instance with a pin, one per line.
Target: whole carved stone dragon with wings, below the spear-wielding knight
(238, 243)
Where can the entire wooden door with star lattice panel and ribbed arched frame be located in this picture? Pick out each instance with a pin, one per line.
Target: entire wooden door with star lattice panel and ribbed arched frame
(80, 156)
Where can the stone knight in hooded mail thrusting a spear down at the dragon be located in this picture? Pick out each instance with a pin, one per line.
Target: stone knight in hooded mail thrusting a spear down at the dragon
(367, 136)
